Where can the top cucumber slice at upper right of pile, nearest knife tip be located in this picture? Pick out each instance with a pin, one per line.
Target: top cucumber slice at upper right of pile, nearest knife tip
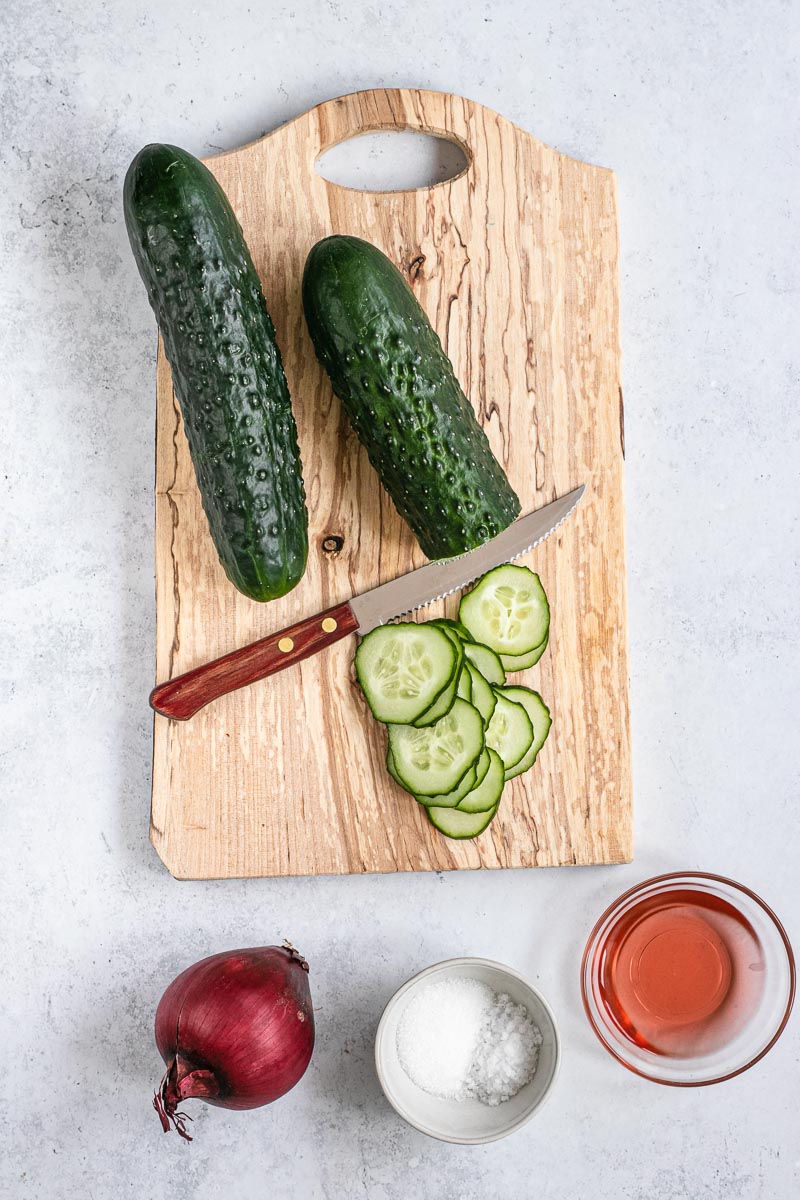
(508, 611)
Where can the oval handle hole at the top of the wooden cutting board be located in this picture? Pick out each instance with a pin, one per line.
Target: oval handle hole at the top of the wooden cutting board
(393, 161)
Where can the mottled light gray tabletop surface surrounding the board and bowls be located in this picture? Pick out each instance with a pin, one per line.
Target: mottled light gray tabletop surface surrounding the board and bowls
(695, 106)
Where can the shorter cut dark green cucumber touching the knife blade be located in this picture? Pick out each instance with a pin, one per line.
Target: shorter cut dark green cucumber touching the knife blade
(399, 389)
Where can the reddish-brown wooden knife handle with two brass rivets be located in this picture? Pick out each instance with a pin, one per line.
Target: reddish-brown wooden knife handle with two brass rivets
(185, 695)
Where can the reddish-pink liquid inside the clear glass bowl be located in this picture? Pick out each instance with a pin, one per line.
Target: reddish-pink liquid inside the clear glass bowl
(682, 973)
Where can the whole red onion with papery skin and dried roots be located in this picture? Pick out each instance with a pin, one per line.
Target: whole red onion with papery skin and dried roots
(236, 1030)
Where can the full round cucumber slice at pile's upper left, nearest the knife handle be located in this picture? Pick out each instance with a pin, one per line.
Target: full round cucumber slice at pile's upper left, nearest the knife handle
(404, 669)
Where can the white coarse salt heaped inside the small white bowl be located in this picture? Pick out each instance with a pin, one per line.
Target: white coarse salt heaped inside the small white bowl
(460, 1040)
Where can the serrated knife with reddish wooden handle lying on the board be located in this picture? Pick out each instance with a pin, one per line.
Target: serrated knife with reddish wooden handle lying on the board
(188, 694)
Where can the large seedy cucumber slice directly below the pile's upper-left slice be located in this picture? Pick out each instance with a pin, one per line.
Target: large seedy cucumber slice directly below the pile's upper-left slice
(432, 760)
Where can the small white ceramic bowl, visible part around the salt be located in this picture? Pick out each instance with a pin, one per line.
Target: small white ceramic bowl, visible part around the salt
(467, 1123)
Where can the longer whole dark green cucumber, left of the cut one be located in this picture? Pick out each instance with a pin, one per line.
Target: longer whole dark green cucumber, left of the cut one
(226, 365)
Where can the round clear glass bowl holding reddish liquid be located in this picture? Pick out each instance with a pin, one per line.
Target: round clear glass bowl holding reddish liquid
(741, 1016)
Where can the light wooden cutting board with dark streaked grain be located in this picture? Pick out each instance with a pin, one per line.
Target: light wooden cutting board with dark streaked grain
(516, 265)
